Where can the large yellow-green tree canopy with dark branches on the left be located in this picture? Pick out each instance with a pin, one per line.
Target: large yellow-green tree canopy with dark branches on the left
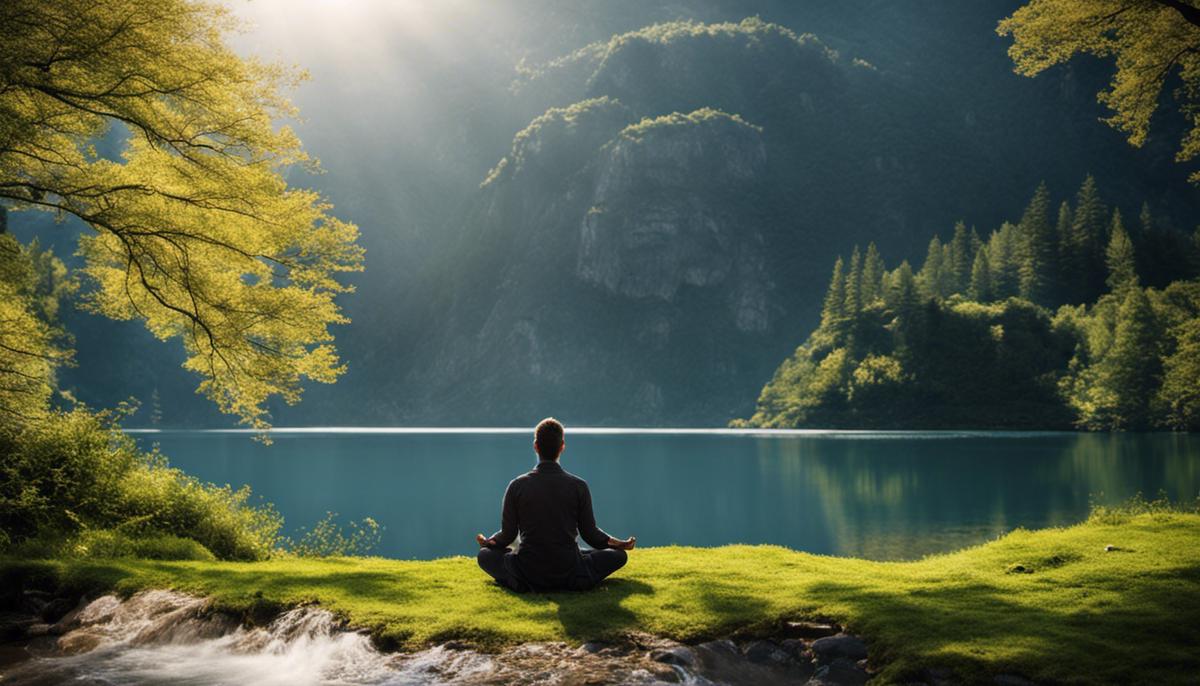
(196, 233)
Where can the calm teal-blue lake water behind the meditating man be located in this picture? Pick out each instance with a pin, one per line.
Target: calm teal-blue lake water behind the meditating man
(881, 496)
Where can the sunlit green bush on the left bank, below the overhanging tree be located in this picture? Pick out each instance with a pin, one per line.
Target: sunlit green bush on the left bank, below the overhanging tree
(76, 473)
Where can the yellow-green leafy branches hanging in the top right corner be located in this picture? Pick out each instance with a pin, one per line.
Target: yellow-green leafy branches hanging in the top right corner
(1150, 40)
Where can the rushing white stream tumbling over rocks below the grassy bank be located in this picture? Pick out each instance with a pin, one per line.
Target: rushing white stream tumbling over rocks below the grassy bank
(165, 637)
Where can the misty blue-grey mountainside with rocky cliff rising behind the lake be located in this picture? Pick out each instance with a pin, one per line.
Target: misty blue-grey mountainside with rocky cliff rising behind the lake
(626, 213)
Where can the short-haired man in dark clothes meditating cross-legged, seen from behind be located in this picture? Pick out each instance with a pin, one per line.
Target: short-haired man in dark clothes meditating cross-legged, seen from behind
(549, 508)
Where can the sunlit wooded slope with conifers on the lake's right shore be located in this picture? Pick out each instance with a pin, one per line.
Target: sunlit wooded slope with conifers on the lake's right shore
(1069, 318)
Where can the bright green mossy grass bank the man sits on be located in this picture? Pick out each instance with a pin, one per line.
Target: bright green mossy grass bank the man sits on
(1052, 605)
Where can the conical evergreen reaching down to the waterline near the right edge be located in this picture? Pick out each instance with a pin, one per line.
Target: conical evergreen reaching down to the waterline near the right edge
(1130, 372)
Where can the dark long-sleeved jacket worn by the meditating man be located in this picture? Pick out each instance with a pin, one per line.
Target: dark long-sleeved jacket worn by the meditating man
(549, 507)
